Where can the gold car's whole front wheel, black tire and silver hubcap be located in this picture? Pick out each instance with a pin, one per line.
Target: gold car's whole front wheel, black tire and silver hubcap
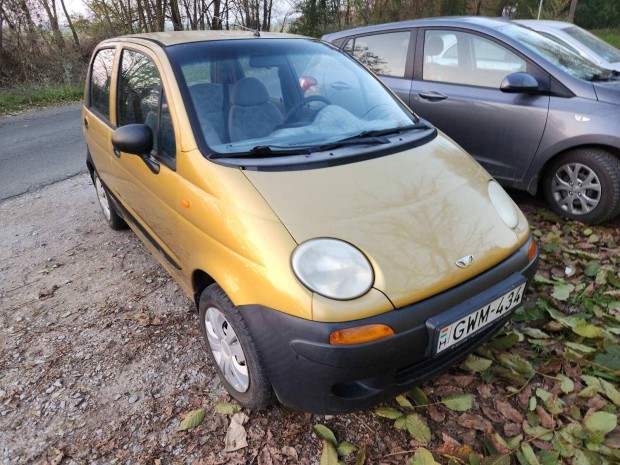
(237, 363)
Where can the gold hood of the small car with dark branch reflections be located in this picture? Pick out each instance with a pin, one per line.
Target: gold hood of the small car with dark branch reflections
(413, 214)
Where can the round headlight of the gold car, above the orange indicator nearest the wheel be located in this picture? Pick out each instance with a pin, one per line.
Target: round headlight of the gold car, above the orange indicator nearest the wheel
(333, 268)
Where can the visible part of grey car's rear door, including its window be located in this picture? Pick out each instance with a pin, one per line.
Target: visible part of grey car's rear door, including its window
(388, 55)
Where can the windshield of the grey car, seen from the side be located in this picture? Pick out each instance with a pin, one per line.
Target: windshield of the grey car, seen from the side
(554, 52)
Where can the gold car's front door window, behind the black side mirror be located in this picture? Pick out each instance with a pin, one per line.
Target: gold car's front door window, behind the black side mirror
(140, 97)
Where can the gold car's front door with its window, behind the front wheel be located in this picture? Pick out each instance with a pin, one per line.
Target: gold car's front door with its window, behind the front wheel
(148, 189)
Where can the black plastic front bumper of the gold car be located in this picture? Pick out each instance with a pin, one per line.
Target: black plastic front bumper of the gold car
(309, 374)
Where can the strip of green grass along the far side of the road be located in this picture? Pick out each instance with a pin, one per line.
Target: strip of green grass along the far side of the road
(19, 98)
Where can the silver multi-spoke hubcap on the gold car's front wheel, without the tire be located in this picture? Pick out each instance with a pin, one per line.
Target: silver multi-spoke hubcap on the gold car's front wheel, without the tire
(226, 349)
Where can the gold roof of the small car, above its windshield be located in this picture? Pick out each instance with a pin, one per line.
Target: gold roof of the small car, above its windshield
(166, 39)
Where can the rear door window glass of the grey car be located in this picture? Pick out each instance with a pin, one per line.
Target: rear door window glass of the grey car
(383, 54)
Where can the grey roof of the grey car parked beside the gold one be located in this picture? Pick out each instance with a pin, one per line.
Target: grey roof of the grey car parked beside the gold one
(446, 21)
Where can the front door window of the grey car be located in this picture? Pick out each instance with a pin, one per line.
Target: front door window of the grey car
(463, 58)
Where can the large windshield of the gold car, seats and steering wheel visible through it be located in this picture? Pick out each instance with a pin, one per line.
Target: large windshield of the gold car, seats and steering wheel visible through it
(280, 95)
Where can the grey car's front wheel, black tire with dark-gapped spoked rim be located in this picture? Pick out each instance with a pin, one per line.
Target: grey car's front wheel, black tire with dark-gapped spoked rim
(565, 190)
